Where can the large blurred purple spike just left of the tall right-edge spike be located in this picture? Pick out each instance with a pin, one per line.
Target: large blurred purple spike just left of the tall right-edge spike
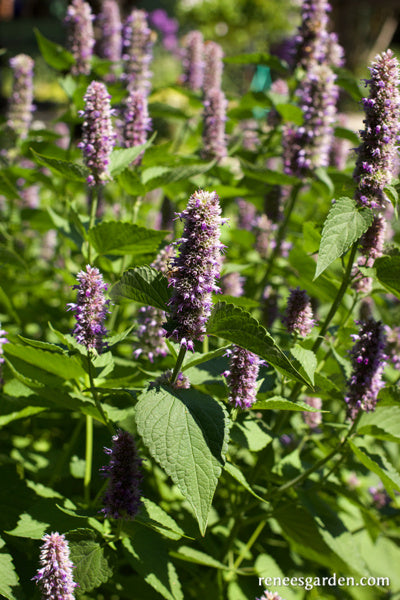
(307, 147)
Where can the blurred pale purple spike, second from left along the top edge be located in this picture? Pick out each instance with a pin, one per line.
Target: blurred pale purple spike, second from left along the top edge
(110, 43)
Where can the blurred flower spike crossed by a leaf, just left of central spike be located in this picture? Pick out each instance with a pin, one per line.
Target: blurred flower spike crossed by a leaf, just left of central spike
(150, 332)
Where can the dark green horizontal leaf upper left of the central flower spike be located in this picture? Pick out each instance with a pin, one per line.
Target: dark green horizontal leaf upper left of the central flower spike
(118, 237)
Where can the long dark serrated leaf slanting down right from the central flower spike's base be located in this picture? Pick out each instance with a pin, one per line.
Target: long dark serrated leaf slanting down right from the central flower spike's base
(236, 325)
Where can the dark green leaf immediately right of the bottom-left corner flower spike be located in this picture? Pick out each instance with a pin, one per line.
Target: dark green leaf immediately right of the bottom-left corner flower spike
(92, 568)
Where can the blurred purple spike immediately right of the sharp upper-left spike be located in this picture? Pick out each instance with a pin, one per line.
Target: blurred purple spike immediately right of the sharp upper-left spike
(137, 122)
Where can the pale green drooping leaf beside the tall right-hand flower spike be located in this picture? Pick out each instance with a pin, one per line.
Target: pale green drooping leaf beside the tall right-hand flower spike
(344, 225)
